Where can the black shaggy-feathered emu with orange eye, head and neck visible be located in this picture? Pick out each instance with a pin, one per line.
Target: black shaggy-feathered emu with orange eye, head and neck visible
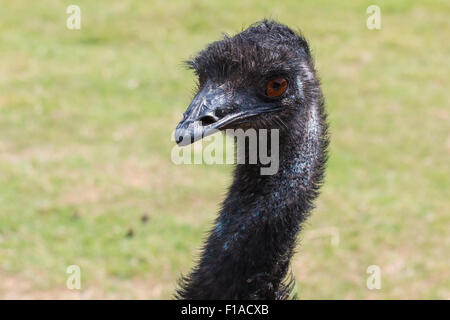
(261, 78)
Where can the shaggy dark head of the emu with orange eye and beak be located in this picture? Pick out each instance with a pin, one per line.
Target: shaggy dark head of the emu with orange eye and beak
(246, 81)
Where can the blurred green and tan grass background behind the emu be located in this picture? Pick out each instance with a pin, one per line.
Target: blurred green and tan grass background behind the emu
(86, 118)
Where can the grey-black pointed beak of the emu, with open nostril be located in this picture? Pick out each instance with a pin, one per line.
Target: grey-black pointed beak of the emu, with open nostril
(214, 109)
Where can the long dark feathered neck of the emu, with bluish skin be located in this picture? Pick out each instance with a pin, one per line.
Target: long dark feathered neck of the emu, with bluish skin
(248, 251)
